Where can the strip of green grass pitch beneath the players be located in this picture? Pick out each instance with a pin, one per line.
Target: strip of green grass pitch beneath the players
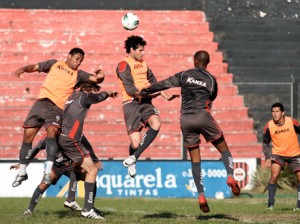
(145, 210)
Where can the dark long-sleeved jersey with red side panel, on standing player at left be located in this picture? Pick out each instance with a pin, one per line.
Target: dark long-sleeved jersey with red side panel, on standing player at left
(76, 108)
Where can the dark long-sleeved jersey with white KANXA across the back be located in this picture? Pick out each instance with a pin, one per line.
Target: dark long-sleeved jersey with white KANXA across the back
(198, 89)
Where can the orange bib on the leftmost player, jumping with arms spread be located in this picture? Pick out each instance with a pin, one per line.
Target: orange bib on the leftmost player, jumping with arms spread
(59, 84)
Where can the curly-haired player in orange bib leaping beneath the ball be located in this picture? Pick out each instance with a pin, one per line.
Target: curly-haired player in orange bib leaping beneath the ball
(133, 75)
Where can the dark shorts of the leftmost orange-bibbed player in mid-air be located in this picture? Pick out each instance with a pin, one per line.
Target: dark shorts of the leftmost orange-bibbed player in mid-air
(43, 112)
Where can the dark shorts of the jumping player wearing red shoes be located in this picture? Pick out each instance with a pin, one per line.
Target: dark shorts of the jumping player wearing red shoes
(192, 125)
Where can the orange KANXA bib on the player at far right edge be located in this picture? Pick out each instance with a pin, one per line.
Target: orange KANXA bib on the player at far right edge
(284, 138)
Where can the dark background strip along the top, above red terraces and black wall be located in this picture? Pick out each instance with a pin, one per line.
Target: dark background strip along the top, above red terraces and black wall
(213, 8)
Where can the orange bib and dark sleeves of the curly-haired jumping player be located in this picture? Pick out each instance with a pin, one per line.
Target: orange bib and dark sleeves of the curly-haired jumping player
(133, 76)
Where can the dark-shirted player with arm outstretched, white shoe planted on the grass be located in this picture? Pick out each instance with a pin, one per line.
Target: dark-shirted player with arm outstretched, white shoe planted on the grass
(70, 139)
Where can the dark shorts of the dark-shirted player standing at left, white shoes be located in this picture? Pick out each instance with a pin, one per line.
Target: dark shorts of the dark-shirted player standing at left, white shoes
(75, 151)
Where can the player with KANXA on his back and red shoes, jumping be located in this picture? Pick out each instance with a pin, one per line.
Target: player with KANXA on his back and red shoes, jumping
(198, 90)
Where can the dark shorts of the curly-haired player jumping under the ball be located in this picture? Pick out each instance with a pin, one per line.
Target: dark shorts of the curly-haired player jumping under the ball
(137, 114)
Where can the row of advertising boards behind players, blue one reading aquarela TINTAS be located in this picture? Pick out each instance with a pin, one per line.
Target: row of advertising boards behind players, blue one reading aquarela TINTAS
(162, 179)
